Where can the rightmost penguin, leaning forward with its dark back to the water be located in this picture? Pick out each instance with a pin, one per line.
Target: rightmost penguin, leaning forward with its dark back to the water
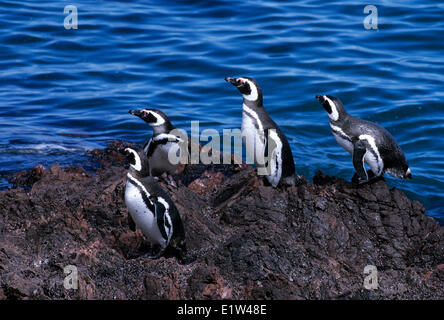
(366, 141)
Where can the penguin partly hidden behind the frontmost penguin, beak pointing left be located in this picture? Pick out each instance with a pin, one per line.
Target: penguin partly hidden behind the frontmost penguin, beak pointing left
(158, 147)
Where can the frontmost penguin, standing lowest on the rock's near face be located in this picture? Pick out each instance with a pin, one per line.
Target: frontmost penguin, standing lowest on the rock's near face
(151, 208)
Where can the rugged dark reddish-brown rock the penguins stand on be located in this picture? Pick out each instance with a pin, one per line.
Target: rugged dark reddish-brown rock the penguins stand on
(245, 240)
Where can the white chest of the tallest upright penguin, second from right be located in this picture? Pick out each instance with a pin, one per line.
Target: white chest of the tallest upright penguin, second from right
(253, 137)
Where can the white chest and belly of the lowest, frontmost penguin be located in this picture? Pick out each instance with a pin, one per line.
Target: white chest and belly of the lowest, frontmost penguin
(142, 215)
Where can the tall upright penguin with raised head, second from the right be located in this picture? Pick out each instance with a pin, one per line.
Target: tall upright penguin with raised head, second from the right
(264, 141)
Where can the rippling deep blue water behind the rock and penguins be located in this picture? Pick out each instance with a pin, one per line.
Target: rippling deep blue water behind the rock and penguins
(65, 91)
